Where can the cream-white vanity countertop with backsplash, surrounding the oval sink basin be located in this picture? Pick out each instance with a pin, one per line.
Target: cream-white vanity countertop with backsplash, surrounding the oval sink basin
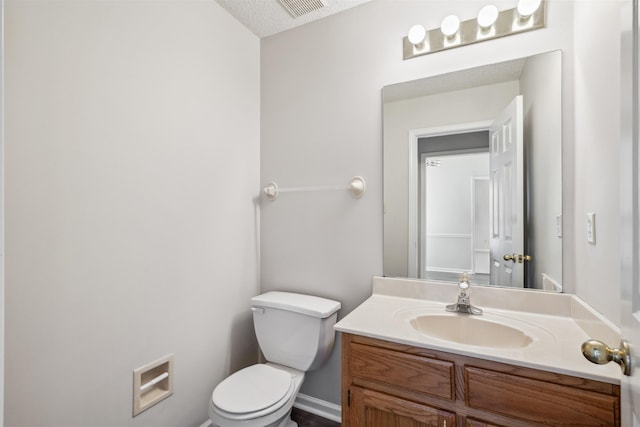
(559, 324)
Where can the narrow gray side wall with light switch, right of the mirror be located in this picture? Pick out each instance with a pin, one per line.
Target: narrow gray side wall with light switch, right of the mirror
(597, 136)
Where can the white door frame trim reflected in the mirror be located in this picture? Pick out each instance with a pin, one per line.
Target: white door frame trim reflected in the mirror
(413, 238)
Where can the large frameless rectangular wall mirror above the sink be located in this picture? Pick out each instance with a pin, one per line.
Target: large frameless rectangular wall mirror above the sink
(473, 175)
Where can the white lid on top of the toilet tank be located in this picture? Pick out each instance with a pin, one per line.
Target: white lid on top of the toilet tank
(299, 303)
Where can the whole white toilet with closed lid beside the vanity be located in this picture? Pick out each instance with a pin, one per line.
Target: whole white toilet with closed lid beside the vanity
(295, 334)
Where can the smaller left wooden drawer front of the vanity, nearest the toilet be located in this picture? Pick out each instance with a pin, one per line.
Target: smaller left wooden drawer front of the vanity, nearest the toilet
(409, 371)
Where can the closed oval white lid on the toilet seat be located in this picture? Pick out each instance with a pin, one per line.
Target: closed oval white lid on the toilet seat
(252, 389)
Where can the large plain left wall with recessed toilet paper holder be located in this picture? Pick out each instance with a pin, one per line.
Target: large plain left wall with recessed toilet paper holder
(132, 161)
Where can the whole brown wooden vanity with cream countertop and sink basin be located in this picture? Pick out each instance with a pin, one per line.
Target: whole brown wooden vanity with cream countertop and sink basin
(407, 362)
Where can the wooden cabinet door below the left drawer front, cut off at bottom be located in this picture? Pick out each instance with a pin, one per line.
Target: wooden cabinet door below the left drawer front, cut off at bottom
(373, 409)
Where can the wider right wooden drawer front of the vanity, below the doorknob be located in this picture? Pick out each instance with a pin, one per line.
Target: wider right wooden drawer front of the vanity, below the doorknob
(538, 401)
